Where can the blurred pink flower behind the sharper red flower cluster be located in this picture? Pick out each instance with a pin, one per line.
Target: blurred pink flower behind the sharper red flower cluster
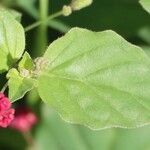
(24, 120)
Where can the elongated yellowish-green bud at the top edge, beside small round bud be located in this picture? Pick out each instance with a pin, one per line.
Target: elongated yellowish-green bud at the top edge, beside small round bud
(79, 4)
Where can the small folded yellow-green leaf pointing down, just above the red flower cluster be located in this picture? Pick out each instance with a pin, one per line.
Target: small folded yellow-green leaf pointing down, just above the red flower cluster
(18, 85)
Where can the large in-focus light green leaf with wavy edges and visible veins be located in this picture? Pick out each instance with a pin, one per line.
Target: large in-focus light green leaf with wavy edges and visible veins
(97, 79)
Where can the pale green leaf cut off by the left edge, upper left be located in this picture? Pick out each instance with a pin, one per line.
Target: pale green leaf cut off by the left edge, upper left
(12, 40)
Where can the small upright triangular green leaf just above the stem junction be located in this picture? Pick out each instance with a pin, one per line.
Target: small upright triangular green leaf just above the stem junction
(26, 62)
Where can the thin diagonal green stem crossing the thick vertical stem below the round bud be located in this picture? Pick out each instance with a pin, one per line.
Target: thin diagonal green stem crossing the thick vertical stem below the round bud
(36, 24)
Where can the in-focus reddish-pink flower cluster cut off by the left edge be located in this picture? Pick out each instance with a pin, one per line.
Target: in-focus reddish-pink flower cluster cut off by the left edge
(6, 112)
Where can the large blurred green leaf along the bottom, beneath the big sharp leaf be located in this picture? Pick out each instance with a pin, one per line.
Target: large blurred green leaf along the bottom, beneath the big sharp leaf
(55, 134)
